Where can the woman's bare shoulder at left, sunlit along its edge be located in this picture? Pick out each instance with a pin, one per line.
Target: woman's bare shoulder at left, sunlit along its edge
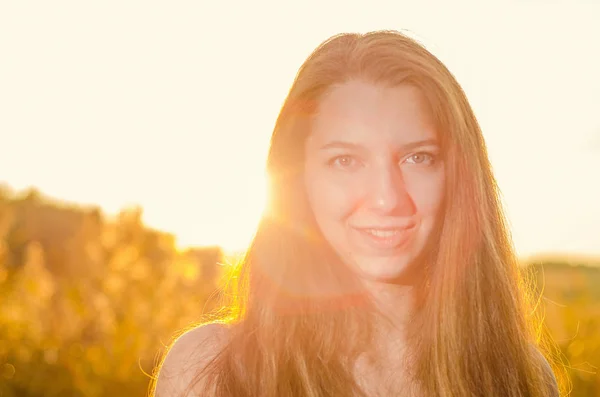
(187, 356)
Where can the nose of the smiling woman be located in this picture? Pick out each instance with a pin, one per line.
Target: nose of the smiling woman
(389, 194)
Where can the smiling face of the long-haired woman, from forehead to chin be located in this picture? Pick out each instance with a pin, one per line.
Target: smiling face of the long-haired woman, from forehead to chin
(374, 176)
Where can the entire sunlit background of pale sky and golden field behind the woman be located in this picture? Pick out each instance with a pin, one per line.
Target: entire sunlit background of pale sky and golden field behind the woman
(111, 106)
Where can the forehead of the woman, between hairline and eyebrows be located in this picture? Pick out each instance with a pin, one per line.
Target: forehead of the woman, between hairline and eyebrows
(371, 115)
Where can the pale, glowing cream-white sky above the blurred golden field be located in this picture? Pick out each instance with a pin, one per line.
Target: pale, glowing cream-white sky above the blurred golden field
(171, 104)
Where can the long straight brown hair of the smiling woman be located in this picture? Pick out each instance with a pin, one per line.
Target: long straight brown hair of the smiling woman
(290, 338)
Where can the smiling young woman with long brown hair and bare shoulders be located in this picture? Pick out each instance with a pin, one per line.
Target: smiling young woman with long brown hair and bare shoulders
(383, 265)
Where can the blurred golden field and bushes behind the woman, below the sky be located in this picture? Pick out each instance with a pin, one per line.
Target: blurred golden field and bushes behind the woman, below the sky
(87, 303)
